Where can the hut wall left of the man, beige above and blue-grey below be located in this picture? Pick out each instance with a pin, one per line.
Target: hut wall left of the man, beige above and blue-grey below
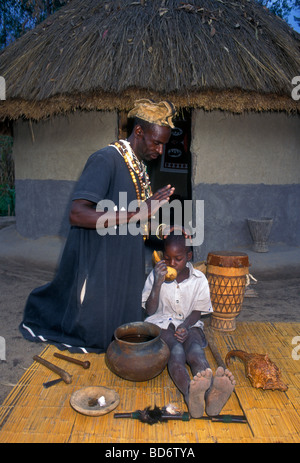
(49, 157)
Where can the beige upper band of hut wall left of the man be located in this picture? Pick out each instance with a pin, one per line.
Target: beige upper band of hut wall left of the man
(58, 148)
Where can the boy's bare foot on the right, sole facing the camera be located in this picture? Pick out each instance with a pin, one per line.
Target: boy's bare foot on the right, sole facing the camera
(222, 388)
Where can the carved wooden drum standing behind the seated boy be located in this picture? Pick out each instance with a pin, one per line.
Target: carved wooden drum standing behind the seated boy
(226, 273)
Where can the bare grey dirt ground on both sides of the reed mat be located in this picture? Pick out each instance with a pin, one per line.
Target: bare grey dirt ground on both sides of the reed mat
(278, 299)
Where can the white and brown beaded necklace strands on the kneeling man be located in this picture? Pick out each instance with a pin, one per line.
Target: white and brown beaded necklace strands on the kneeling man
(143, 190)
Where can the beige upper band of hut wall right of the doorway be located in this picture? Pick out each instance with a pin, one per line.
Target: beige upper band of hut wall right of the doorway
(245, 149)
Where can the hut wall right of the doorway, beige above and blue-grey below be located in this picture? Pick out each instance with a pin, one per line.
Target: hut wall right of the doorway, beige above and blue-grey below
(246, 166)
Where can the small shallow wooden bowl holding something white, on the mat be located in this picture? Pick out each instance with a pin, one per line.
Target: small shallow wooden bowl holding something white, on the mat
(81, 400)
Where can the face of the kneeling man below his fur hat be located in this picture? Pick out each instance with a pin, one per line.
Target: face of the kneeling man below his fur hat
(151, 142)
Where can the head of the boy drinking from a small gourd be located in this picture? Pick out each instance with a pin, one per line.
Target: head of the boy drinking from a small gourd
(176, 252)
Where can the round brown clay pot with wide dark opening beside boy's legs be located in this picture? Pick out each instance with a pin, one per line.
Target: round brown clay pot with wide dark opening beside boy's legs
(137, 353)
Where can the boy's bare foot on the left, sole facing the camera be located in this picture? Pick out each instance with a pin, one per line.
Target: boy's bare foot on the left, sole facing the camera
(198, 386)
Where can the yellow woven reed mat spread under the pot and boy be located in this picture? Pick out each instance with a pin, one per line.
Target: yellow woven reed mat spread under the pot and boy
(32, 413)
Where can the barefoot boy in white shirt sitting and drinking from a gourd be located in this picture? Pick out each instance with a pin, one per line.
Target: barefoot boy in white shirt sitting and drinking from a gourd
(176, 307)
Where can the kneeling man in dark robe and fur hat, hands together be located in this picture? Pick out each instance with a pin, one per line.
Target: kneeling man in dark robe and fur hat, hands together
(99, 282)
